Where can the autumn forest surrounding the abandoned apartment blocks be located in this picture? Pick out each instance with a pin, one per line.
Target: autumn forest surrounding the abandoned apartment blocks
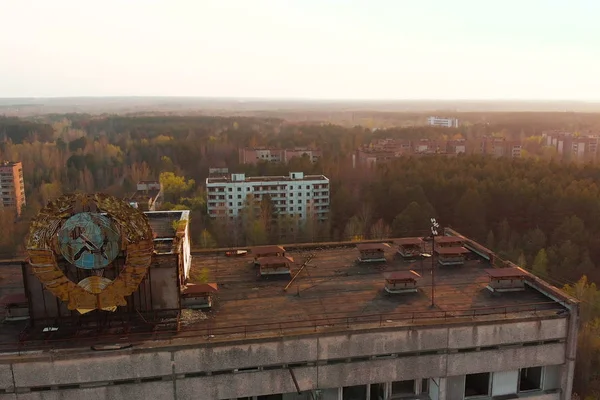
(539, 212)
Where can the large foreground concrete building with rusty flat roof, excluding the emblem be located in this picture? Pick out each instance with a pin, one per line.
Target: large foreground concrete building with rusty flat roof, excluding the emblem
(487, 332)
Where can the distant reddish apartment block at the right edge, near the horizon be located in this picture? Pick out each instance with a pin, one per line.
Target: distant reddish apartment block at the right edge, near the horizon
(573, 147)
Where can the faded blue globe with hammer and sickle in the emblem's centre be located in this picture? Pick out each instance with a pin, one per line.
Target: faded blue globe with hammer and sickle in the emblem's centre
(89, 240)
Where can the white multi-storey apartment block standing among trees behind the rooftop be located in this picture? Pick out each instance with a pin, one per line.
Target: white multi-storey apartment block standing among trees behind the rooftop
(296, 195)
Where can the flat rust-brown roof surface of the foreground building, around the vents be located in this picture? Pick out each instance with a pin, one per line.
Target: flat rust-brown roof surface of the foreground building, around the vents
(333, 292)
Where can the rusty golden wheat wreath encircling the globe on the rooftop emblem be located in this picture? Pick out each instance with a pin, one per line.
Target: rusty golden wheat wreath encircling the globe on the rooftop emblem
(94, 292)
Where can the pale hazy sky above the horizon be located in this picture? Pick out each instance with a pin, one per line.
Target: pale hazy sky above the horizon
(371, 49)
